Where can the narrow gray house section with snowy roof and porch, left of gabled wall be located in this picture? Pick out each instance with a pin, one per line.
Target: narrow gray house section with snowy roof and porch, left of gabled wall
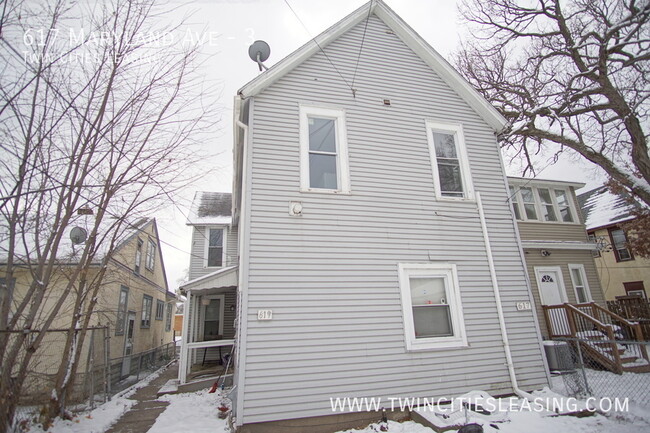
(212, 290)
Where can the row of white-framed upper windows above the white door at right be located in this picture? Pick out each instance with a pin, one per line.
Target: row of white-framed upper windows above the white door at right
(541, 204)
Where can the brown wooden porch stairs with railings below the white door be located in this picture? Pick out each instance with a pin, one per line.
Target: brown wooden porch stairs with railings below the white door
(599, 332)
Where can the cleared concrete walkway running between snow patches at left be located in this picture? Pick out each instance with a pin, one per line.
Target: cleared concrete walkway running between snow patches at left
(143, 414)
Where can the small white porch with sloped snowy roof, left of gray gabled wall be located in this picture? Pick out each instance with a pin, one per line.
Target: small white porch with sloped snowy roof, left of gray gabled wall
(208, 325)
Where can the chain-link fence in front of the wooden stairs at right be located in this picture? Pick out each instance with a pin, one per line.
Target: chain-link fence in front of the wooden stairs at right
(584, 375)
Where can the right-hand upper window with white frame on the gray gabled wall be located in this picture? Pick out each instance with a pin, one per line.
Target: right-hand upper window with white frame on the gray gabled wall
(449, 161)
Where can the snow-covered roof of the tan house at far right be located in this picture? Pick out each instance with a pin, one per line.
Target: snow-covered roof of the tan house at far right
(601, 208)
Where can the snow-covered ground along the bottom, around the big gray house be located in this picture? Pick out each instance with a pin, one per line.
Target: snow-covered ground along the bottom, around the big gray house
(198, 412)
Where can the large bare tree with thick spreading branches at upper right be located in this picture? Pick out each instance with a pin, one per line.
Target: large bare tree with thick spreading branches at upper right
(570, 73)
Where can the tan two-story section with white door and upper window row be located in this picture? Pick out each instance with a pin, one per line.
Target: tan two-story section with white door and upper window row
(558, 253)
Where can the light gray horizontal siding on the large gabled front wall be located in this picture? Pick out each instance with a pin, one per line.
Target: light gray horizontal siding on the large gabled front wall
(330, 276)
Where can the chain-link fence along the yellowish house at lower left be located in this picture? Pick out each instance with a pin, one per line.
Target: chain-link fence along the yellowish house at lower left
(97, 379)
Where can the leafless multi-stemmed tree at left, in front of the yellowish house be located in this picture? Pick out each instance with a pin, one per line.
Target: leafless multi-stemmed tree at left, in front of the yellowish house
(98, 111)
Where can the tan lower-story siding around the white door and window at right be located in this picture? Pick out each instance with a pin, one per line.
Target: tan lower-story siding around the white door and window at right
(563, 258)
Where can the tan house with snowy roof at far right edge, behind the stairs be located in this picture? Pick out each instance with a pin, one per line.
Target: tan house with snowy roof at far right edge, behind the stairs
(621, 272)
